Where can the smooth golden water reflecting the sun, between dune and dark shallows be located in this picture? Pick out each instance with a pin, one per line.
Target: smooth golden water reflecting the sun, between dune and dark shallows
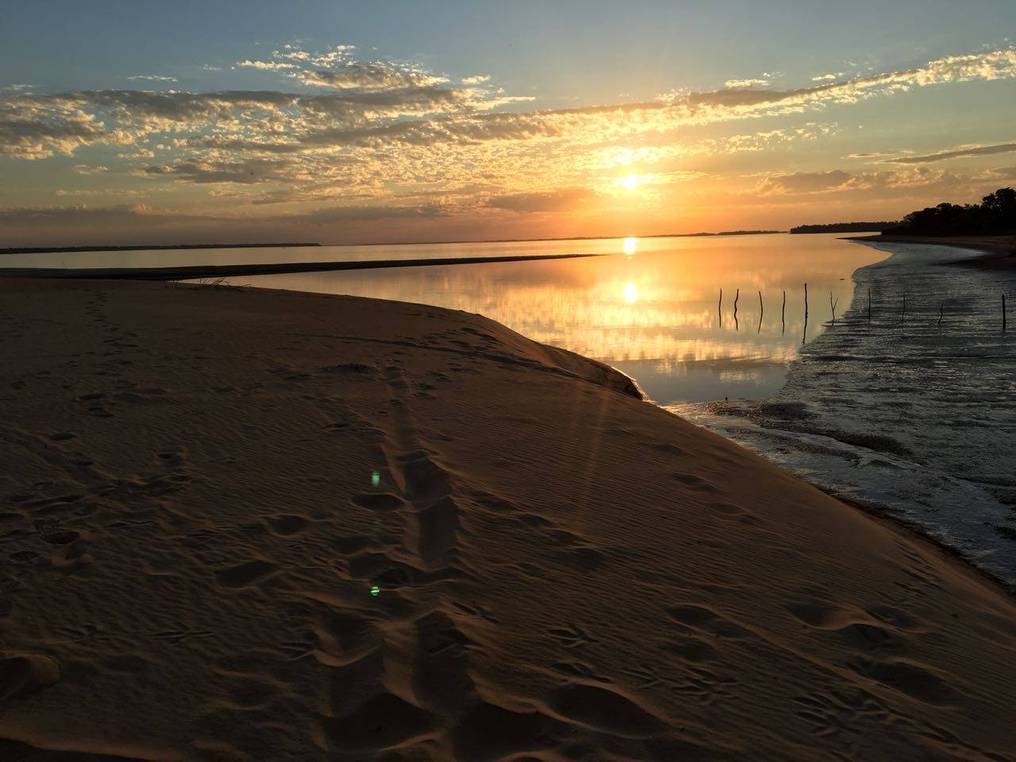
(650, 308)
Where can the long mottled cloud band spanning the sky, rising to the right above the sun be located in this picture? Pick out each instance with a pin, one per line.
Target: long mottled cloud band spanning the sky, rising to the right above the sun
(370, 102)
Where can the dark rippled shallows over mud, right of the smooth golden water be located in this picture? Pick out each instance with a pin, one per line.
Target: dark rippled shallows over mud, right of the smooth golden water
(914, 412)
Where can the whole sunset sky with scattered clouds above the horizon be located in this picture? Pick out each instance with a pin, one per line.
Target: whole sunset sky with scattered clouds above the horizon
(144, 122)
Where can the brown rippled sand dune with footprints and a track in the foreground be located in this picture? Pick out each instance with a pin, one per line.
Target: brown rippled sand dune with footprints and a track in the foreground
(247, 525)
